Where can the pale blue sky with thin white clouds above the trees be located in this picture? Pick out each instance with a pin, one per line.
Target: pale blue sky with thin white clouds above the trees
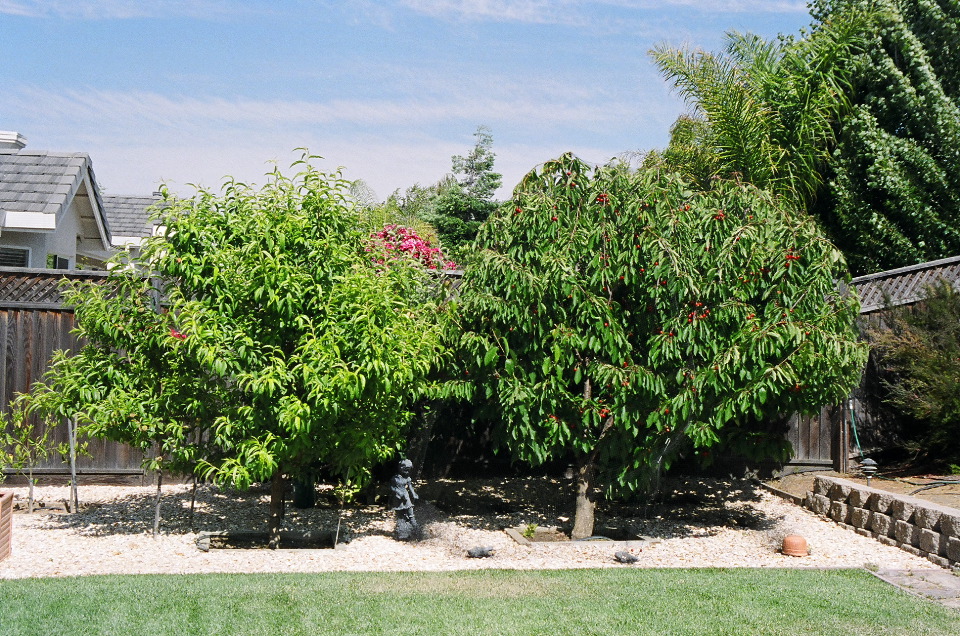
(184, 92)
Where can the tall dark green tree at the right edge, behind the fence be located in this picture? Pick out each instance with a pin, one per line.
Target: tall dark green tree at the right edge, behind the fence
(892, 191)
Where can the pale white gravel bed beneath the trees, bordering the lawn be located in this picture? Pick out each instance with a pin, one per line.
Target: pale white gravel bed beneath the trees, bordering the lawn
(111, 535)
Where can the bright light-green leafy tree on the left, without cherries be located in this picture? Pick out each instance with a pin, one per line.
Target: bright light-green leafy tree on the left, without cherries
(280, 343)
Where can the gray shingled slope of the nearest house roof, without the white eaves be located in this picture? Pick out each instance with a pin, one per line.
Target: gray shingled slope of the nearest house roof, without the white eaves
(40, 181)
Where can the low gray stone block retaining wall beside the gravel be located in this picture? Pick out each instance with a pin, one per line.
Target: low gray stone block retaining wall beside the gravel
(917, 526)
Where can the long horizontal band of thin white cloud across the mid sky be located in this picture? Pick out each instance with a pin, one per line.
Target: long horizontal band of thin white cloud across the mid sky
(548, 106)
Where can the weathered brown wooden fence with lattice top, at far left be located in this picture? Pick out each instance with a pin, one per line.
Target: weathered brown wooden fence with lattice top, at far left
(33, 324)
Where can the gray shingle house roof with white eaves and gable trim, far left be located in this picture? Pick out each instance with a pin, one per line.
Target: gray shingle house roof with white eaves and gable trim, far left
(36, 186)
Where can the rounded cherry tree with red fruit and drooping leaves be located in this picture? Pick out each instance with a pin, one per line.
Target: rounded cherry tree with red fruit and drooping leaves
(621, 318)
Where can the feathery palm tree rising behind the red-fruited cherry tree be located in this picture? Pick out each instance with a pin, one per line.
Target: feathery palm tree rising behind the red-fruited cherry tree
(770, 107)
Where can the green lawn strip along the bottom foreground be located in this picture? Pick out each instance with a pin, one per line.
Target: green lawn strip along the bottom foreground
(614, 601)
